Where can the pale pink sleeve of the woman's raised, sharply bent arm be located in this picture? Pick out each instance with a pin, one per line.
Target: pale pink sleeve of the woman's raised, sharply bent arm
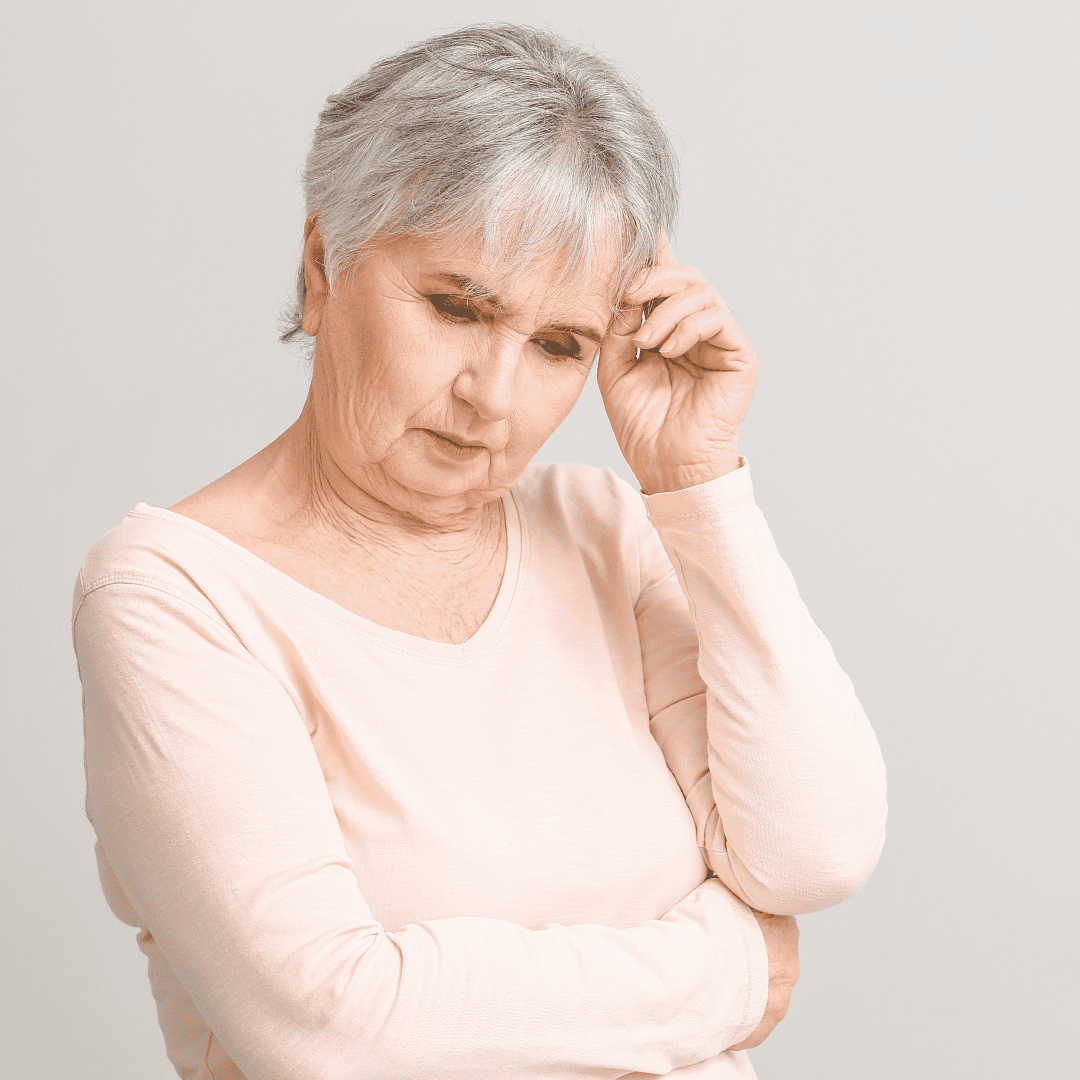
(761, 727)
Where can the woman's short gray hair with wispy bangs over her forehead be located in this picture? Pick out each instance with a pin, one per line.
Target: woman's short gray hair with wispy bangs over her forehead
(507, 134)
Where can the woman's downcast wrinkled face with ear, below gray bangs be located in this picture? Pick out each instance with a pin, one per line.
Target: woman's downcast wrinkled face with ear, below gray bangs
(416, 350)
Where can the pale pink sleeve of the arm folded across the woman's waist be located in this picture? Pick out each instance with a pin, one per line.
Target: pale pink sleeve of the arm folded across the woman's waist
(210, 805)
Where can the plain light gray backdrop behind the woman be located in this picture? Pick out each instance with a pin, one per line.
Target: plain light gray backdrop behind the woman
(886, 197)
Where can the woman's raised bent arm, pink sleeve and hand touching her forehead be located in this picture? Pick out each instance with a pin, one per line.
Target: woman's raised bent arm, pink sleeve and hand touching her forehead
(758, 722)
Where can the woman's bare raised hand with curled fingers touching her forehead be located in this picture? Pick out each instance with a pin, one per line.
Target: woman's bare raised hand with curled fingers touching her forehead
(678, 411)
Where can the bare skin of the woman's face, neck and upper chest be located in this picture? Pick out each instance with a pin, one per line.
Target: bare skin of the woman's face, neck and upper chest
(357, 501)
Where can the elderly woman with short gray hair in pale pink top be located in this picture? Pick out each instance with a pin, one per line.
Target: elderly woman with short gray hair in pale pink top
(410, 760)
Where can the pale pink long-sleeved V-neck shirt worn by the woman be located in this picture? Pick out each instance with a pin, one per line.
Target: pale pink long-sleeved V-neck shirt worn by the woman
(357, 855)
